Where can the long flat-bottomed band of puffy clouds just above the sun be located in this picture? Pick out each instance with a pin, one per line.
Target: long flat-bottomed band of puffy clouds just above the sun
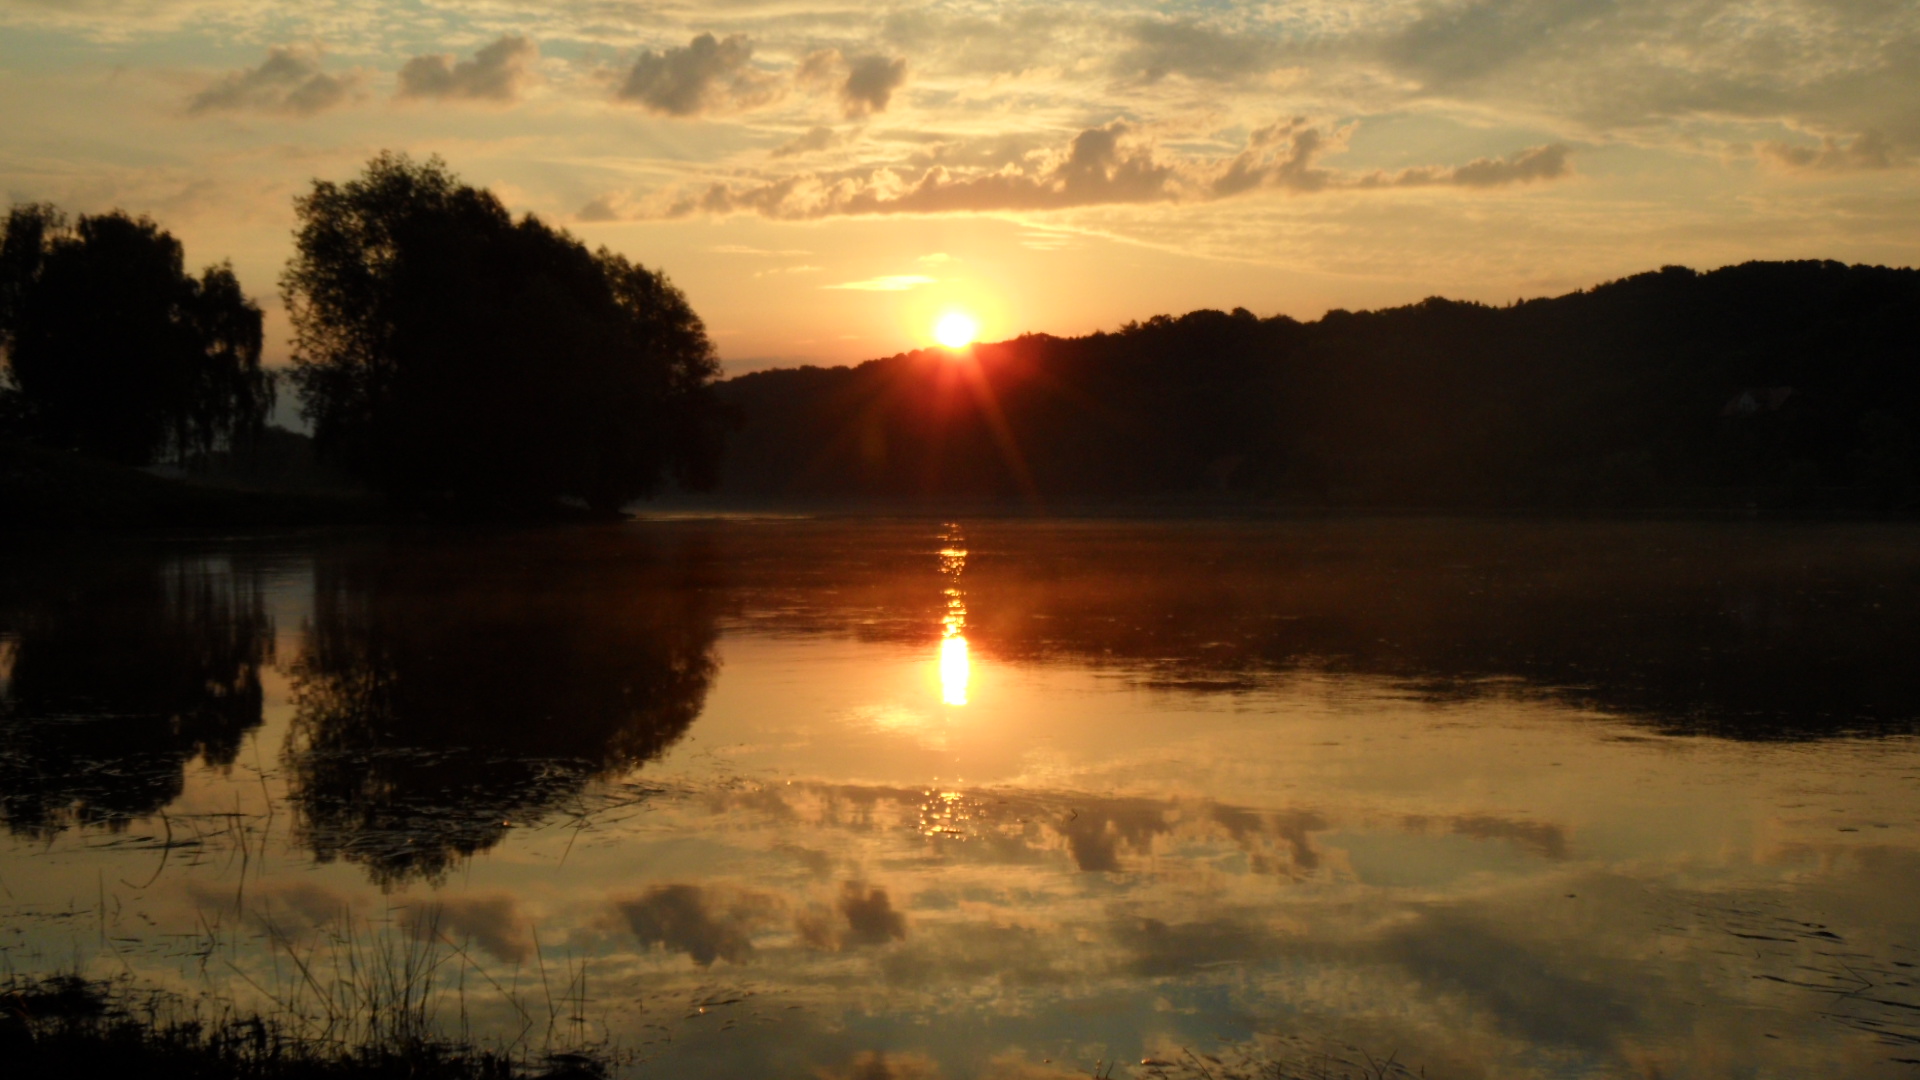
(1113, 164)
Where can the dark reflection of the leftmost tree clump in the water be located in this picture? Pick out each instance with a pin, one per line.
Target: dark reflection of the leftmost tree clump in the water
(116, 672)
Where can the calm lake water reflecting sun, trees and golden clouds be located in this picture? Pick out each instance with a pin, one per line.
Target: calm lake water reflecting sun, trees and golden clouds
(915, 798)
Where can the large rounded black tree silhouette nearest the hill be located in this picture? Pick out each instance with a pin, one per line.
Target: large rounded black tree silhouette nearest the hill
(446, 351)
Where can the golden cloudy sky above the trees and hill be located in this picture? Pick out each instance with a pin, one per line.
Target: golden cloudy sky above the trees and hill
(827, 180)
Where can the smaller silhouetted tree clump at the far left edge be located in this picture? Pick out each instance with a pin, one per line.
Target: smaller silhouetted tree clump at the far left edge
(116, 351)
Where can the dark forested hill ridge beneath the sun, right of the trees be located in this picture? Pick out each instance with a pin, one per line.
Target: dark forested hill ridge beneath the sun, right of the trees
(1764, 383)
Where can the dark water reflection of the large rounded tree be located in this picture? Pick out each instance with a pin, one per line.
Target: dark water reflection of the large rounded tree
(452, 689)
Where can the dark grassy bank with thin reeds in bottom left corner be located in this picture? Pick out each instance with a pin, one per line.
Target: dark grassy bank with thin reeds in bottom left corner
(347, 1000)
